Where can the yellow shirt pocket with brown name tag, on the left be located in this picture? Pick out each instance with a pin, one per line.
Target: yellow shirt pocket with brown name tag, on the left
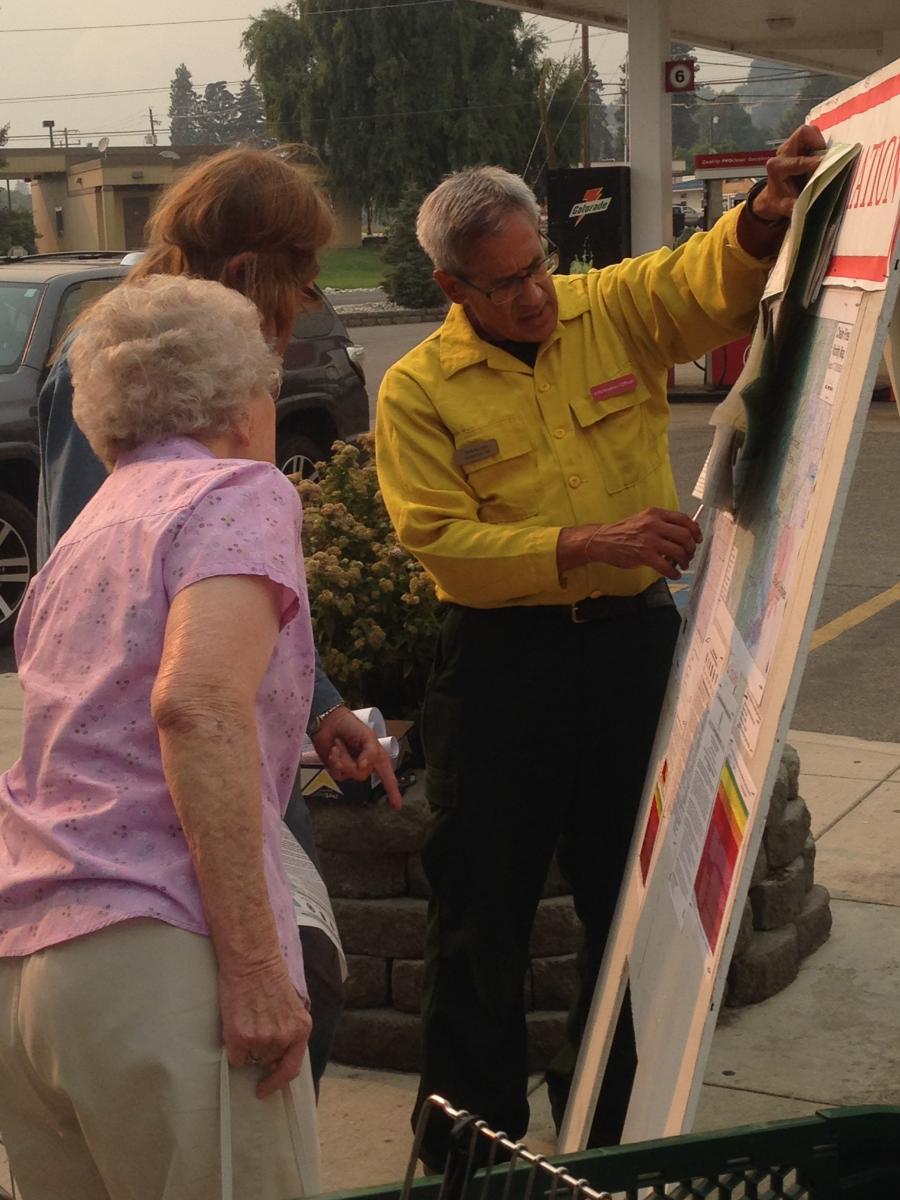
(501, 467)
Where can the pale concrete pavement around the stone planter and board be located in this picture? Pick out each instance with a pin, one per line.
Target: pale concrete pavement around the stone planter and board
(832, 1039)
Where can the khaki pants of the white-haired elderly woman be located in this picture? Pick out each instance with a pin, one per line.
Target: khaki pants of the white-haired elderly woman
(111, 1078)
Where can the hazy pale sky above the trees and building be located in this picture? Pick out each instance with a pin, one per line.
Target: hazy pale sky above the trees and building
(40, 73)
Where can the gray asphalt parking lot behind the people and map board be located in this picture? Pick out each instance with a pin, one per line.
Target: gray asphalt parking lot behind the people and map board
(850, 686)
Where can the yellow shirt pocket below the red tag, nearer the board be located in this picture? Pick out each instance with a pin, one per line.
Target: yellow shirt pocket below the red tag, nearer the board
(625, 439)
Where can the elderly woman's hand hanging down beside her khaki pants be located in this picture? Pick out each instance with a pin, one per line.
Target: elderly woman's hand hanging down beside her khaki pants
(265, 1023)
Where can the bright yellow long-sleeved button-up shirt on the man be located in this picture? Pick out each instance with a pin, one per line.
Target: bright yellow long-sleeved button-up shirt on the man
(483, 460)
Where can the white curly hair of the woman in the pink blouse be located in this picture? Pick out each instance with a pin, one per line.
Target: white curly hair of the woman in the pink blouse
(167, 357)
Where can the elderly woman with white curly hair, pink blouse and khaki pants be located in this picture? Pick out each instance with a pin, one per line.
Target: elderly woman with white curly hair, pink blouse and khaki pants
(147, 929)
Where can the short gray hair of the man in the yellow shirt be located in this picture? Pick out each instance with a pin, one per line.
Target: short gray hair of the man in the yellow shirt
(467, 206)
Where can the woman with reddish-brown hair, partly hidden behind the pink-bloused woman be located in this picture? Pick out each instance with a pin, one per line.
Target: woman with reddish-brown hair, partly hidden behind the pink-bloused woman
(256, 223)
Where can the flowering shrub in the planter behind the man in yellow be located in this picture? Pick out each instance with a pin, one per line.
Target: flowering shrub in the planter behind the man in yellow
(374, 608)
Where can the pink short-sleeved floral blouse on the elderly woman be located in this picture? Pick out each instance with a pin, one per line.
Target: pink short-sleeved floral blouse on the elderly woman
(88, 831)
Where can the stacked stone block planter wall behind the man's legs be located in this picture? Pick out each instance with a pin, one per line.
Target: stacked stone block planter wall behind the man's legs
(371, 866)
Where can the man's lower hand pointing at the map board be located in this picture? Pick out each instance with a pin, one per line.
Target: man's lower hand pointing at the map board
(657, 538)
